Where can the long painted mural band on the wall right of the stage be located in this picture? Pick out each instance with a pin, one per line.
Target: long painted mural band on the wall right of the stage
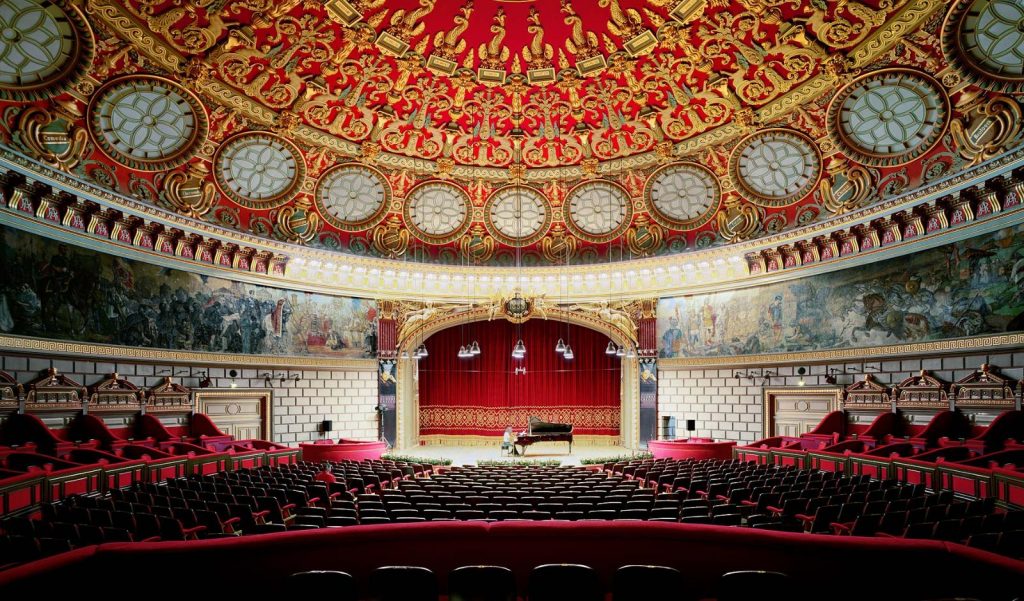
(969, 288)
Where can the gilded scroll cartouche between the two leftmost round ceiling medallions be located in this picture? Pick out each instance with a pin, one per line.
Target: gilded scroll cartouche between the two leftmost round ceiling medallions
(51, 136)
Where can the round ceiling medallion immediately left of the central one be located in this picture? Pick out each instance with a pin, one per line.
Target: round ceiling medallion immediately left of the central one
(438, 212)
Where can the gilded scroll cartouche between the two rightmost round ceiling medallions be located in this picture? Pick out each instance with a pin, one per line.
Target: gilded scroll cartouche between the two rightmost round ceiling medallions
(988, 130)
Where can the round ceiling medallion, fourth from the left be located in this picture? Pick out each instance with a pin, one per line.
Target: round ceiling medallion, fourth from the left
(353, 197)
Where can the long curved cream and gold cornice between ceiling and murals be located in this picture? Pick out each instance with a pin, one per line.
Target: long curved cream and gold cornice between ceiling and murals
(330, 273)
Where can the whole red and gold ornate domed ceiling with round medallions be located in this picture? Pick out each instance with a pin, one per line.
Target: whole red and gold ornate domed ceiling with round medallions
(560, 133)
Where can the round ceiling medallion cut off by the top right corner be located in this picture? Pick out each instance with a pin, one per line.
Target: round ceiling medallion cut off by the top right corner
(986, 40)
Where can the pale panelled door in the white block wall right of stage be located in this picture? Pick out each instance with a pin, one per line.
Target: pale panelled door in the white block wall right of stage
(793, 411)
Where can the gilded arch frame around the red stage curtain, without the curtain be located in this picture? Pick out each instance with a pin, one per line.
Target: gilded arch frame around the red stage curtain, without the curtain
(408, 403)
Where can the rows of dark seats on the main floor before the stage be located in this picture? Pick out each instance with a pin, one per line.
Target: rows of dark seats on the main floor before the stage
(703, 492)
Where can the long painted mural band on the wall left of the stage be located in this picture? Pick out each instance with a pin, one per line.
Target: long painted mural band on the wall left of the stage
(57, 291)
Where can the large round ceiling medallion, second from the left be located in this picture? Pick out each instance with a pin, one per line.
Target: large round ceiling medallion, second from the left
(147, 123)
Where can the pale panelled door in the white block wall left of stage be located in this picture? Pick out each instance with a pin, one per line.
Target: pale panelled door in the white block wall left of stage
(243, 413)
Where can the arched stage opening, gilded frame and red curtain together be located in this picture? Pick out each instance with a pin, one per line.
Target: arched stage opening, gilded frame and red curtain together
(445, 400)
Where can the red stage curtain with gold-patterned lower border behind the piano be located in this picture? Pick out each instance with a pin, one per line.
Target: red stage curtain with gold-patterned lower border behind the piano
(483, 396)
